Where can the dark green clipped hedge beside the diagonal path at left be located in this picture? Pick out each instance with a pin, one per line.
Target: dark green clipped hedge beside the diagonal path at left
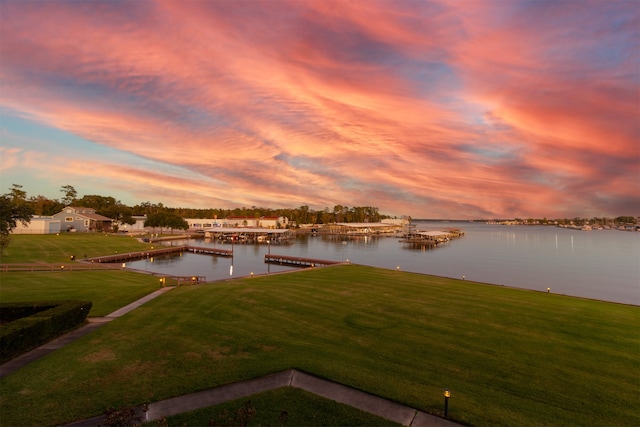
(45, 320)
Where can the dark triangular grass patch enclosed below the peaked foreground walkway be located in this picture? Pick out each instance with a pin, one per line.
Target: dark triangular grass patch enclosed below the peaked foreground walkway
(286, 406)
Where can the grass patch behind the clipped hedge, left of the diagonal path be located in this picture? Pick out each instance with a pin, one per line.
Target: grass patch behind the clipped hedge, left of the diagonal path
(107, 290)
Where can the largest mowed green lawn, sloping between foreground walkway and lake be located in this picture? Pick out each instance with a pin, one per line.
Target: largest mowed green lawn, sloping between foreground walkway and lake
(509, 356)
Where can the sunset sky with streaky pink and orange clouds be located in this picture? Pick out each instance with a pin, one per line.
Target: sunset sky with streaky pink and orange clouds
(434, 109)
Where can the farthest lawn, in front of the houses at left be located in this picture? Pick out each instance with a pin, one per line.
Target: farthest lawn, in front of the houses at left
(59, 248)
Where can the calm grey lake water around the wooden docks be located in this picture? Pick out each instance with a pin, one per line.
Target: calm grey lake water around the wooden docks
(602, 264)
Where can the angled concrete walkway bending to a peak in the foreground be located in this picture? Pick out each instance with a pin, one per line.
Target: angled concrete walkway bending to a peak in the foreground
(292, 378)
